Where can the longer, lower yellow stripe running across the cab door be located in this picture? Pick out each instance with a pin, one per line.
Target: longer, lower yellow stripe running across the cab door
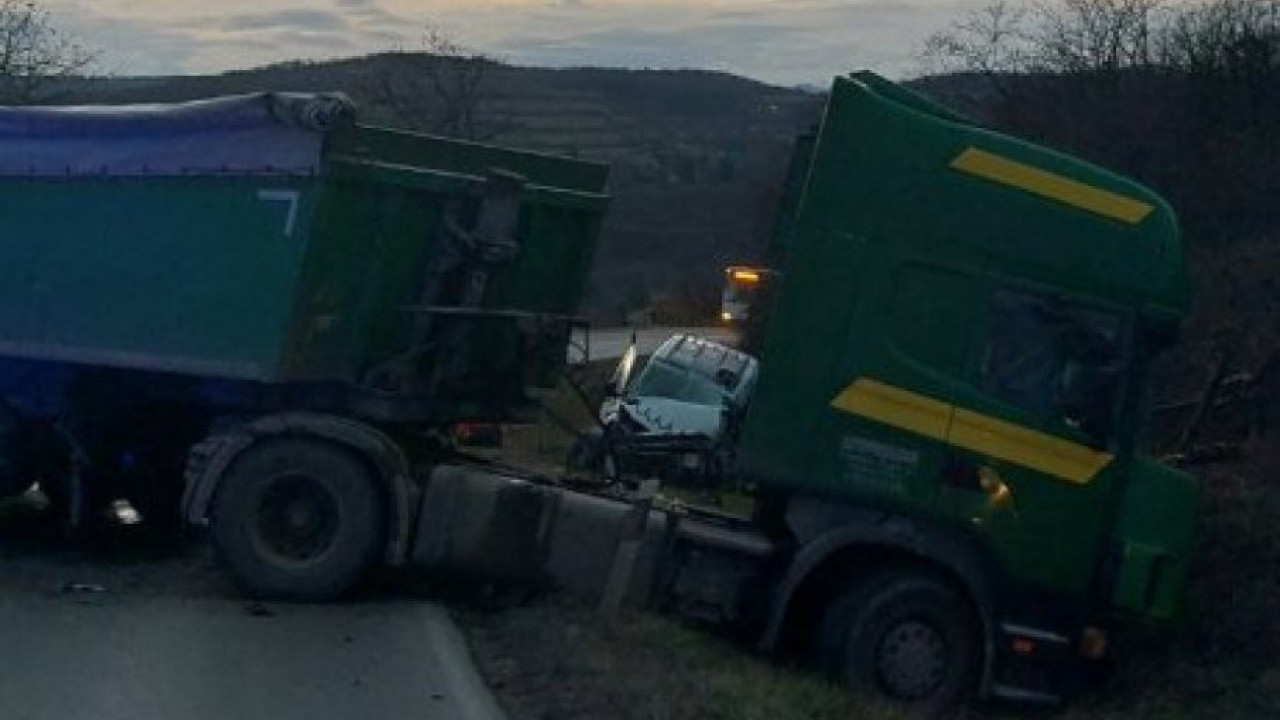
(972, 431)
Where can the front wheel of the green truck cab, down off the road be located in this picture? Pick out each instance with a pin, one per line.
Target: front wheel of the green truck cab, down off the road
(906, 637)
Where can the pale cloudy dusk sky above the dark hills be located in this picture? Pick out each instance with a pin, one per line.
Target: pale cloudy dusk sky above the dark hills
(783, 42)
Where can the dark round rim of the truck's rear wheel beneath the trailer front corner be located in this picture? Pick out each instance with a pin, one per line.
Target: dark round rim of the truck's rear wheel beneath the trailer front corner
(298, 520)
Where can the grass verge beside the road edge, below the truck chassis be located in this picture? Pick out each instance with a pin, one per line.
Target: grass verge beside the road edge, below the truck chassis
(556, 660)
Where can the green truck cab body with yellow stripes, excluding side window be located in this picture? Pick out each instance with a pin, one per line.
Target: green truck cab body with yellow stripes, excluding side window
(911, 224)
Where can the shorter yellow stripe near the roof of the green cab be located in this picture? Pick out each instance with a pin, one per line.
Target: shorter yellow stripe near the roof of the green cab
(1054, 186)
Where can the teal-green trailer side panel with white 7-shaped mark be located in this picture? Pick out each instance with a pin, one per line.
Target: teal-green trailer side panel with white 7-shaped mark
(188, 275)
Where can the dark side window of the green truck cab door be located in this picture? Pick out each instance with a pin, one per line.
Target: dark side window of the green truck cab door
(1058, 361)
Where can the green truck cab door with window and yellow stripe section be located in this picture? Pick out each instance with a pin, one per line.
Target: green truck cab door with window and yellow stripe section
(1034, 449)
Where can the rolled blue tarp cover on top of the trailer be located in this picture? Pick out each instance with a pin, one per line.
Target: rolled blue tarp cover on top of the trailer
(272, 134)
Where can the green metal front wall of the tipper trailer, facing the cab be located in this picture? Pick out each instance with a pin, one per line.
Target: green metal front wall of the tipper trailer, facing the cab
(381, 226)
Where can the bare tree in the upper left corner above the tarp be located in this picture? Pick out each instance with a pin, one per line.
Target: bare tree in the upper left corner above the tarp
(35, 54)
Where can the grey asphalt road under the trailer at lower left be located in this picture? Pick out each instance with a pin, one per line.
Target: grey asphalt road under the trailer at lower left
(112, 636)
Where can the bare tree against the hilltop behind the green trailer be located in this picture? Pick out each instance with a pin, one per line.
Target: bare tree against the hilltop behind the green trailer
(440, 90)
